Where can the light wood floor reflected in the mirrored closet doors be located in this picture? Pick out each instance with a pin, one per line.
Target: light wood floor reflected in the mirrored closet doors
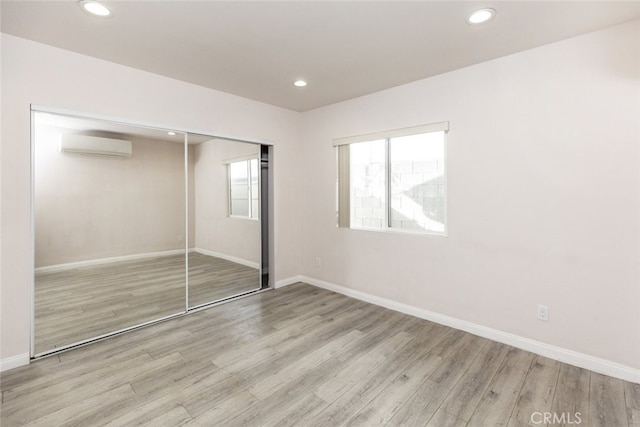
(85, 302)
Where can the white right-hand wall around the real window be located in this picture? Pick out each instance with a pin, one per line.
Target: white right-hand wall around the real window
(543, 196)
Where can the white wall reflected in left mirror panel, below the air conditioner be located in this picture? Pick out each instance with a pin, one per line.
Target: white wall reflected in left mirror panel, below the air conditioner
(91, 207)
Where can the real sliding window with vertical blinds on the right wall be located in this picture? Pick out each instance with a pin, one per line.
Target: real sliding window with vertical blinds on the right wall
(394, 180)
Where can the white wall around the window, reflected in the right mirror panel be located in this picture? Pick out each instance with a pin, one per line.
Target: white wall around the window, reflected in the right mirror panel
(215, 230)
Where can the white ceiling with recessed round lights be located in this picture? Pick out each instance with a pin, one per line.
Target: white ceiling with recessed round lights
(343, 49)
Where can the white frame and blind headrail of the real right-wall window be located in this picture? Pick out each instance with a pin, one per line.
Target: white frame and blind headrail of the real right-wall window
(344, 188)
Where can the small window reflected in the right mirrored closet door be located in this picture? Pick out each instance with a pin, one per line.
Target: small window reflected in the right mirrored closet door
(243, 188)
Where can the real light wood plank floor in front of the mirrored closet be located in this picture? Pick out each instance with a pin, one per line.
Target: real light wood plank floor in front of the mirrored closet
(302, 356)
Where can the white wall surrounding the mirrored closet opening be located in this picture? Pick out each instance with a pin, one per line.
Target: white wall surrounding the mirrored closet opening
(46, 76)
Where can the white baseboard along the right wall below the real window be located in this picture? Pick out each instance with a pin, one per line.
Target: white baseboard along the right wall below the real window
(561, 354)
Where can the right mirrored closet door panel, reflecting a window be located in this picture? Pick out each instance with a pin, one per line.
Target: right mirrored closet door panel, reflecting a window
(224, 248)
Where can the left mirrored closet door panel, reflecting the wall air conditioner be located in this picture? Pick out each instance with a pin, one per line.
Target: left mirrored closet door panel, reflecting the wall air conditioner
(109, 228)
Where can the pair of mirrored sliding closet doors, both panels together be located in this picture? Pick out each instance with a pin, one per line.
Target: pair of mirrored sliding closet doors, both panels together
(120, 211)
